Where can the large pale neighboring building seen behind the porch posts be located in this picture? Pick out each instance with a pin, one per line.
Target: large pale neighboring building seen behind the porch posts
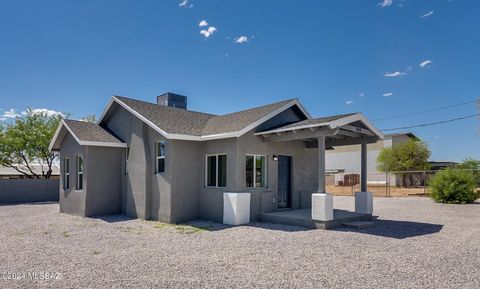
(345, 161)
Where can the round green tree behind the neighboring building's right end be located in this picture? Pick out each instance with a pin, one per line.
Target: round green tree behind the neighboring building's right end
(406, 156)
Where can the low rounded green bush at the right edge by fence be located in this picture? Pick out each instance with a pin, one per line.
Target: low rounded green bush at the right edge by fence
(453, 186)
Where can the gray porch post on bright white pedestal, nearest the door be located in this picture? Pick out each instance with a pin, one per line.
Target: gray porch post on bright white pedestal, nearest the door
(322, 203)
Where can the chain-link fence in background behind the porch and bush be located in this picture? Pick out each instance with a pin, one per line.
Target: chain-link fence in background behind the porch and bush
(390, 184)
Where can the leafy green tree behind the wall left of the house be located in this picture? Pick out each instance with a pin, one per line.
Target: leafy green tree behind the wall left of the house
(25, 142)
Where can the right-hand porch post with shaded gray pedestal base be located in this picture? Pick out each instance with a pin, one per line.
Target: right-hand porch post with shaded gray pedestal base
(363, 199)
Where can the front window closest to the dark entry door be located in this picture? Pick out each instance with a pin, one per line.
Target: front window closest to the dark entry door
(256, 171)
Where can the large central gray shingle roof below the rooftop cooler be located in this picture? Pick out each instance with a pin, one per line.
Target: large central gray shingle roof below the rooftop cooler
(182, 121)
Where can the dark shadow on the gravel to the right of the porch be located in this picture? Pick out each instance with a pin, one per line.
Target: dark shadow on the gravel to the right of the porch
(397, 229)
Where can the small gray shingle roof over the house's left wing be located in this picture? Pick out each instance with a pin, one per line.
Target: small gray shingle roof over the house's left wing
(91, 132)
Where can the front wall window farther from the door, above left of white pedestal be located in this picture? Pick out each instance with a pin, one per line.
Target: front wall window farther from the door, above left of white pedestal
(216, 170)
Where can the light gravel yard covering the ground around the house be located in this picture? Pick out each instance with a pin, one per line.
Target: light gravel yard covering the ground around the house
(415, 243)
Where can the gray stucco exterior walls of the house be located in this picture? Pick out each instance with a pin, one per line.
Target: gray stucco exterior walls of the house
(180, 193)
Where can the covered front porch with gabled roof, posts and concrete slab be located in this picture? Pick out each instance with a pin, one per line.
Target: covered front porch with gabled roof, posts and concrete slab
(323, 134)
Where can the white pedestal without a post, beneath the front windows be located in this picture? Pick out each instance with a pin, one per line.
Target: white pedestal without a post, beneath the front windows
(236, 208)
